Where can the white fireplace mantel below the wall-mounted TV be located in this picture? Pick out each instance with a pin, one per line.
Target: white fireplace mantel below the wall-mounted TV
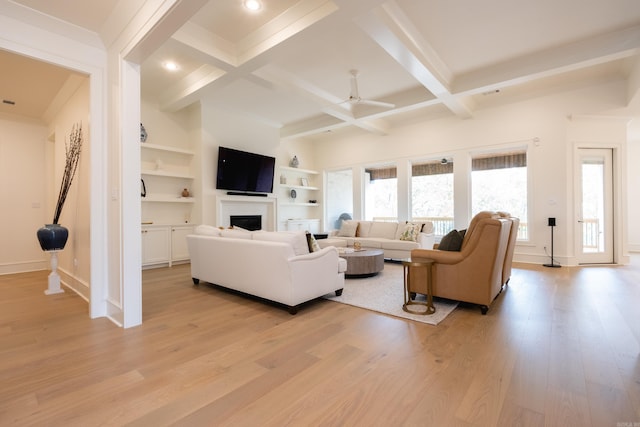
(246, 205)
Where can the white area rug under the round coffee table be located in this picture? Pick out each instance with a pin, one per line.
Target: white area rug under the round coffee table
(385, 293)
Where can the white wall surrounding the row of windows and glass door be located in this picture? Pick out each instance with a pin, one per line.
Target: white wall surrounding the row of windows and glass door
(548, 126)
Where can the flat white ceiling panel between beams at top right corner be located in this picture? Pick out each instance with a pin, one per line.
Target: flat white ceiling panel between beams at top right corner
(469, 35)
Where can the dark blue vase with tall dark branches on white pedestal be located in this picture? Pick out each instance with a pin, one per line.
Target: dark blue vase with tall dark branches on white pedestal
(53, 237)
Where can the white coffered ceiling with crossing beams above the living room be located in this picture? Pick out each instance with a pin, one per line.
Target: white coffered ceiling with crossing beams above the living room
(289, 64)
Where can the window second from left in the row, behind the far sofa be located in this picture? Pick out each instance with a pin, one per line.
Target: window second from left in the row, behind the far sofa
(381, 194)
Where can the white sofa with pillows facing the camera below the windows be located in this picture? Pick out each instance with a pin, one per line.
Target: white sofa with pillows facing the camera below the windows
(396, 239)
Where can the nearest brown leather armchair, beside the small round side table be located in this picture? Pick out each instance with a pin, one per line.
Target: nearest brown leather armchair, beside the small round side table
(475, 273)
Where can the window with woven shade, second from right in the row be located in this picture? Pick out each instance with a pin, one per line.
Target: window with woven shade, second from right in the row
(432, 194)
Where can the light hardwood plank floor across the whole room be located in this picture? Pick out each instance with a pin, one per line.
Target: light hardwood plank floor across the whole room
(559, 347)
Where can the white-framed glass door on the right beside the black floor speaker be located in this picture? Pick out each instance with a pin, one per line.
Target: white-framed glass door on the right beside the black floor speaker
(594, 206)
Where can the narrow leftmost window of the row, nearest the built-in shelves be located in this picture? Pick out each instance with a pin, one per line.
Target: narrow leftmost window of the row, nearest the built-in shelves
(339, 198)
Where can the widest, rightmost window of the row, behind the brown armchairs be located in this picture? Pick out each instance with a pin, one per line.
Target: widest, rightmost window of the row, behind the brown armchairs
(499, 183)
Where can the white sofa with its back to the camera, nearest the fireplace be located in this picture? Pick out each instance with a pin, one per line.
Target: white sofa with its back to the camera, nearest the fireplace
(276, 266)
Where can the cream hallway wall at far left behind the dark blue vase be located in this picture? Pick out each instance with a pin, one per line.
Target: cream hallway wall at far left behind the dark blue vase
(24, 175)
